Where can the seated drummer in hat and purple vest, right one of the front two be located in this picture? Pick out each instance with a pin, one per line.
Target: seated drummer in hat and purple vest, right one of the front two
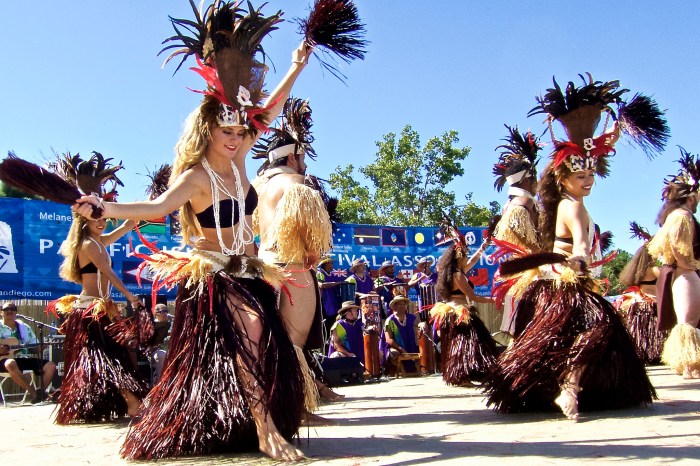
(400, 333)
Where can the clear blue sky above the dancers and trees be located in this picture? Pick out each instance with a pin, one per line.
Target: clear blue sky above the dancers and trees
(83, 75)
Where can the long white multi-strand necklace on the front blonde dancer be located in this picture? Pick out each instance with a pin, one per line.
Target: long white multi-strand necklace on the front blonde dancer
(242, 233)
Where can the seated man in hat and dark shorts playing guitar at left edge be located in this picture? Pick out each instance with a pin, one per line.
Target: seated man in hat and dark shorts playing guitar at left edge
(14, 332)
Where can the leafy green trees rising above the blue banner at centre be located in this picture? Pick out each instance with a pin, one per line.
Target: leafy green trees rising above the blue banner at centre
(407, 184)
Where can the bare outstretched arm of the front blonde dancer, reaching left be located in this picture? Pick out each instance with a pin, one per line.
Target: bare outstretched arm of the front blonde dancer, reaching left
(184, 188)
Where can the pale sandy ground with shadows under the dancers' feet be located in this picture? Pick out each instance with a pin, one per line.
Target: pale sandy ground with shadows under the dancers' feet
(414, 421)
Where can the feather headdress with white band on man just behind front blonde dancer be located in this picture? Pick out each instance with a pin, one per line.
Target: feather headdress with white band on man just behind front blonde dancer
(292, 137)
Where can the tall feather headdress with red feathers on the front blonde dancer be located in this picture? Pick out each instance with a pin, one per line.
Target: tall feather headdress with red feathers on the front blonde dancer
(225, 40)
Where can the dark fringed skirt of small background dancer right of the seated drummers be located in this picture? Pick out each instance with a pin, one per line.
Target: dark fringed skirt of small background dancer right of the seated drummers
(468, 350)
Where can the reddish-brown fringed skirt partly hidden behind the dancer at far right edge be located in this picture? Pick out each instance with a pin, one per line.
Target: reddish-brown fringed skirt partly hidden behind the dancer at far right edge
(642, 326)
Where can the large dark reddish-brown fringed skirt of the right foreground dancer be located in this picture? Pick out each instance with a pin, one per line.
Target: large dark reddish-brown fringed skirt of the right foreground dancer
(572, 327)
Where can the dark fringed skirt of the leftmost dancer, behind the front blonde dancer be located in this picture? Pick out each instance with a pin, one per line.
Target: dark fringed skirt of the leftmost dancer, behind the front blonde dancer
(98, 369)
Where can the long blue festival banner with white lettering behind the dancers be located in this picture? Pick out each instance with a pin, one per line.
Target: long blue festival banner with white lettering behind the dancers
(31, 233)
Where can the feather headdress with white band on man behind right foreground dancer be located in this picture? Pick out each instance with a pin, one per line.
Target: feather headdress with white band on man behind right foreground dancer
(518, 158)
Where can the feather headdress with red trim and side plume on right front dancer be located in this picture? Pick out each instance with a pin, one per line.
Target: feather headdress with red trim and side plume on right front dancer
(579, 110)
